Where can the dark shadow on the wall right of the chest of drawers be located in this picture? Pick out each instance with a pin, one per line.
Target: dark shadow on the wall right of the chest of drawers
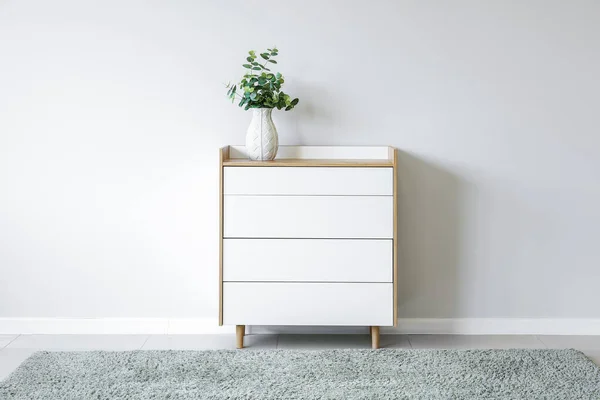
(429, 229)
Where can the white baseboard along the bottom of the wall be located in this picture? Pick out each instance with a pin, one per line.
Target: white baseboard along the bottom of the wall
(174, 326)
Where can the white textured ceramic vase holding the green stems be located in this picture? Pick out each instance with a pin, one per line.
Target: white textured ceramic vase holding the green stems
(261, 140)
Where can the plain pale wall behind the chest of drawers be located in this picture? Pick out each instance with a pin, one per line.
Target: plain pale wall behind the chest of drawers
(111, 113)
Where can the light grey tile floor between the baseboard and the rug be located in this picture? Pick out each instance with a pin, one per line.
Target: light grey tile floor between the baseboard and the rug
(14, 349)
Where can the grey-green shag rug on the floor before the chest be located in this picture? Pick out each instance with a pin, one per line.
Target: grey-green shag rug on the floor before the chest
(292, 374)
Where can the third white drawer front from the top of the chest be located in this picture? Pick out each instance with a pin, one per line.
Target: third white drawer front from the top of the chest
(307, 260)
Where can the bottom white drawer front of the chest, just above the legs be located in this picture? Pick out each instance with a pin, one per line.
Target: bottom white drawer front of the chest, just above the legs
(346, 304)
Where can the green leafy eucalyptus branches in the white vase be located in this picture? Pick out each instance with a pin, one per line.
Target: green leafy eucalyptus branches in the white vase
(259, 87)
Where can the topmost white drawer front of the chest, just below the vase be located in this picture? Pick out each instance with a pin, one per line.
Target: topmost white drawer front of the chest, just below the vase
(308, 181)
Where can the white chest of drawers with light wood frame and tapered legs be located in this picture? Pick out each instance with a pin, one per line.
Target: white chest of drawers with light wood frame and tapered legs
(309, 238)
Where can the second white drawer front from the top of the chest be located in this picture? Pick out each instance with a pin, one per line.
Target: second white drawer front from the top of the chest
(308, 217)
